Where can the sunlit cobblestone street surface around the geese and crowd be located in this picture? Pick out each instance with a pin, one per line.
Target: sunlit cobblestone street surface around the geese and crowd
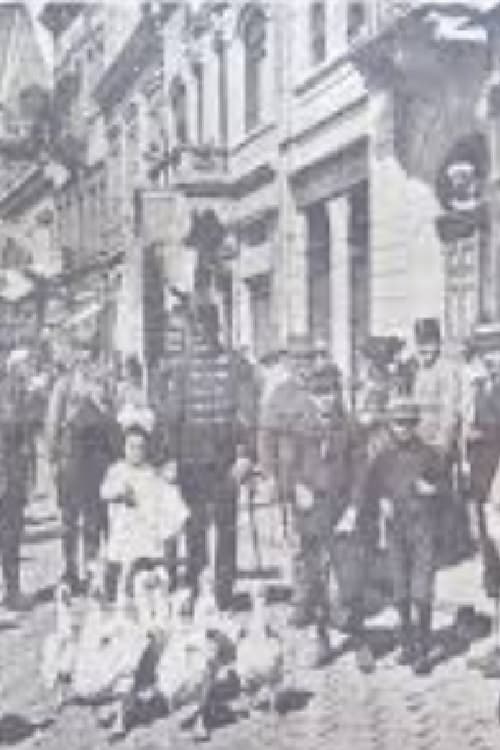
(453, 708)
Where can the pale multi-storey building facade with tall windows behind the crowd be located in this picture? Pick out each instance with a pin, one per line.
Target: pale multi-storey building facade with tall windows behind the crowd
(345, 153)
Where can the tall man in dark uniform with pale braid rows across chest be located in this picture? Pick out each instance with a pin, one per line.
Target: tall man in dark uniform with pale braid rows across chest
(207, 438)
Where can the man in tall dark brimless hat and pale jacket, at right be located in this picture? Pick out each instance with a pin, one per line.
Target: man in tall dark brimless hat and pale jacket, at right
(436, 391)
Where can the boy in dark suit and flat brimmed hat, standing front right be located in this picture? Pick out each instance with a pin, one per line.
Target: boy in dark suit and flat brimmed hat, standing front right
(406, 480)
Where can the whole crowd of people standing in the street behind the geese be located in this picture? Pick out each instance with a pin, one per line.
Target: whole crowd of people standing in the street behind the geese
(136, 468)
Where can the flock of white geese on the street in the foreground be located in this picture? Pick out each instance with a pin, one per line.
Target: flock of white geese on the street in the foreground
(162, 646)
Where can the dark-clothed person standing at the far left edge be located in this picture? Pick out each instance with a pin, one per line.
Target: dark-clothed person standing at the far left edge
(14, 470)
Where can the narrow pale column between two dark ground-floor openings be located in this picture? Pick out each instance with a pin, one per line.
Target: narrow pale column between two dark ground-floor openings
(340, 284)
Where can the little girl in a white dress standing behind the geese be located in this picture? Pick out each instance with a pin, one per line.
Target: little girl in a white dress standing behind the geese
(144, 510)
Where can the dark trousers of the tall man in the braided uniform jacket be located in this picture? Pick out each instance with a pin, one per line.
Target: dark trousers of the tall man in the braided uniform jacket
(211, 496)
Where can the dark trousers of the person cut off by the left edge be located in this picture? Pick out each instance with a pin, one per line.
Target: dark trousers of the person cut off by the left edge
(11, 527)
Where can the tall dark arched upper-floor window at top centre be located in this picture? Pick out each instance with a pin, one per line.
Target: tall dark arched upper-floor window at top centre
(254, 37)
